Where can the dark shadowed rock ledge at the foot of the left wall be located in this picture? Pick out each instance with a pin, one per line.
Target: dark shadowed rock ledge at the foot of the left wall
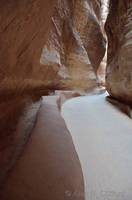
(17, 120)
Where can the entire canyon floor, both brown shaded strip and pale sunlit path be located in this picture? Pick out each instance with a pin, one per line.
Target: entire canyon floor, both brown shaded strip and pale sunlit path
(92, 159)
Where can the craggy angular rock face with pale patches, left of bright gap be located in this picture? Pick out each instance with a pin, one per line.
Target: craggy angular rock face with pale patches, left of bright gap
(76, 45)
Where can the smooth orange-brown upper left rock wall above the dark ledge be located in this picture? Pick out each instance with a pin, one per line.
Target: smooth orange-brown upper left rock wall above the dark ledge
(24, 26)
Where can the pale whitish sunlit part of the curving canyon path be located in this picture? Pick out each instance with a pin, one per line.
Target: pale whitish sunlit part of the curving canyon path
(103, 139)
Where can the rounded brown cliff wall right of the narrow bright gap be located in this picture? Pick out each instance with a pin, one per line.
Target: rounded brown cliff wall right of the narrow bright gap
(119, 69)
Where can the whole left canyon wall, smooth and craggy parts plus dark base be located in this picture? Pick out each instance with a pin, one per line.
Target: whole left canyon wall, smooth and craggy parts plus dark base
(69, 33)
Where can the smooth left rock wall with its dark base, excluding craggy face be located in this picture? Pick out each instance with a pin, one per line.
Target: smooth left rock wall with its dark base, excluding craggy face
(24, 27)
